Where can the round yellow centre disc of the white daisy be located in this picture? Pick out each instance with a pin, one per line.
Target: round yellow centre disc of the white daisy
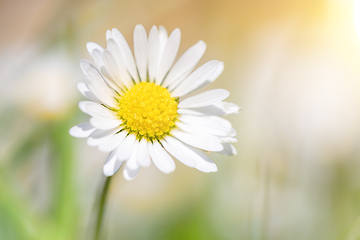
(148, 110)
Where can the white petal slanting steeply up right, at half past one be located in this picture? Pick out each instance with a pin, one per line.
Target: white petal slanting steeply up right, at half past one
(185, 64)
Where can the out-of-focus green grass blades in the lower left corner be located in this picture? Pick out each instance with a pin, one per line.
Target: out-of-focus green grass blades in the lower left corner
(60, 220)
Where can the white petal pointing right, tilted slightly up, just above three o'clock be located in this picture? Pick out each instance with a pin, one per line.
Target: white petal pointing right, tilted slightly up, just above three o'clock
(204, 99)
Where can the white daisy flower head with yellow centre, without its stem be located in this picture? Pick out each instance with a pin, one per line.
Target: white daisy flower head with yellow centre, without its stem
(140, 108)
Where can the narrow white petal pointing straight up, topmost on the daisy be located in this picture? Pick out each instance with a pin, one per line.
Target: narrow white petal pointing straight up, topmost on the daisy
(140, 51)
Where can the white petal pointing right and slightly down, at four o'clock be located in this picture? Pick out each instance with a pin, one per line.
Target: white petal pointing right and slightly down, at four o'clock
(197, 141)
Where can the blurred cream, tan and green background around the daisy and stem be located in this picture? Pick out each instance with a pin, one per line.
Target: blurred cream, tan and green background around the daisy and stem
(293, 67)
